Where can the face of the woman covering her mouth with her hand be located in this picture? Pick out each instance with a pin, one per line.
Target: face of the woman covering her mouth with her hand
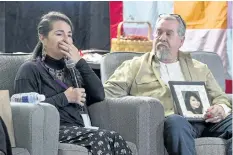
(61, 31)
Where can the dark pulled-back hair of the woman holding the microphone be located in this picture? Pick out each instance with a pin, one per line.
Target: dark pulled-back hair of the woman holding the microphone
(45, 25)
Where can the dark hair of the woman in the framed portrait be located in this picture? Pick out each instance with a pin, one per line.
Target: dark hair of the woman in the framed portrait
(188, 95)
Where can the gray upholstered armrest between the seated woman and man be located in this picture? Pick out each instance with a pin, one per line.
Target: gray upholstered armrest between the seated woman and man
(138, 119)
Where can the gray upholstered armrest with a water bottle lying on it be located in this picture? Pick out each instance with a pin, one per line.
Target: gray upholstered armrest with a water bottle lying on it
(36, 127)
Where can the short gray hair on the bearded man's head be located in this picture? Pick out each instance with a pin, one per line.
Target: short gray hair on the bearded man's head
(182, 26)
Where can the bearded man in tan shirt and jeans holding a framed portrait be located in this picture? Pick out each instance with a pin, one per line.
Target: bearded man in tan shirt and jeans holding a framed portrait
(149, 74)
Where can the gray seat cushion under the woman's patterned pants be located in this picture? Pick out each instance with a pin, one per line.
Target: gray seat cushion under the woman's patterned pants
(71, 149)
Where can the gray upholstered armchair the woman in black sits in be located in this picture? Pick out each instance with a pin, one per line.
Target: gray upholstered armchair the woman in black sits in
(36, 126)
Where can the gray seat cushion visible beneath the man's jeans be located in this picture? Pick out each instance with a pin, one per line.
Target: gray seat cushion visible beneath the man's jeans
(213, 146)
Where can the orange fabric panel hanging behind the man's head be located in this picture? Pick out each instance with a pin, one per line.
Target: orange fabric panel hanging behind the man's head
(203, 14)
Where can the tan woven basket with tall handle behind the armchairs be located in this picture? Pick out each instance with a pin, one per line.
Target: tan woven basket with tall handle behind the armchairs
(123, 45)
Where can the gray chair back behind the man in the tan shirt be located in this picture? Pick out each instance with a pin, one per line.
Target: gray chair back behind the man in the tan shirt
(111, 61)
